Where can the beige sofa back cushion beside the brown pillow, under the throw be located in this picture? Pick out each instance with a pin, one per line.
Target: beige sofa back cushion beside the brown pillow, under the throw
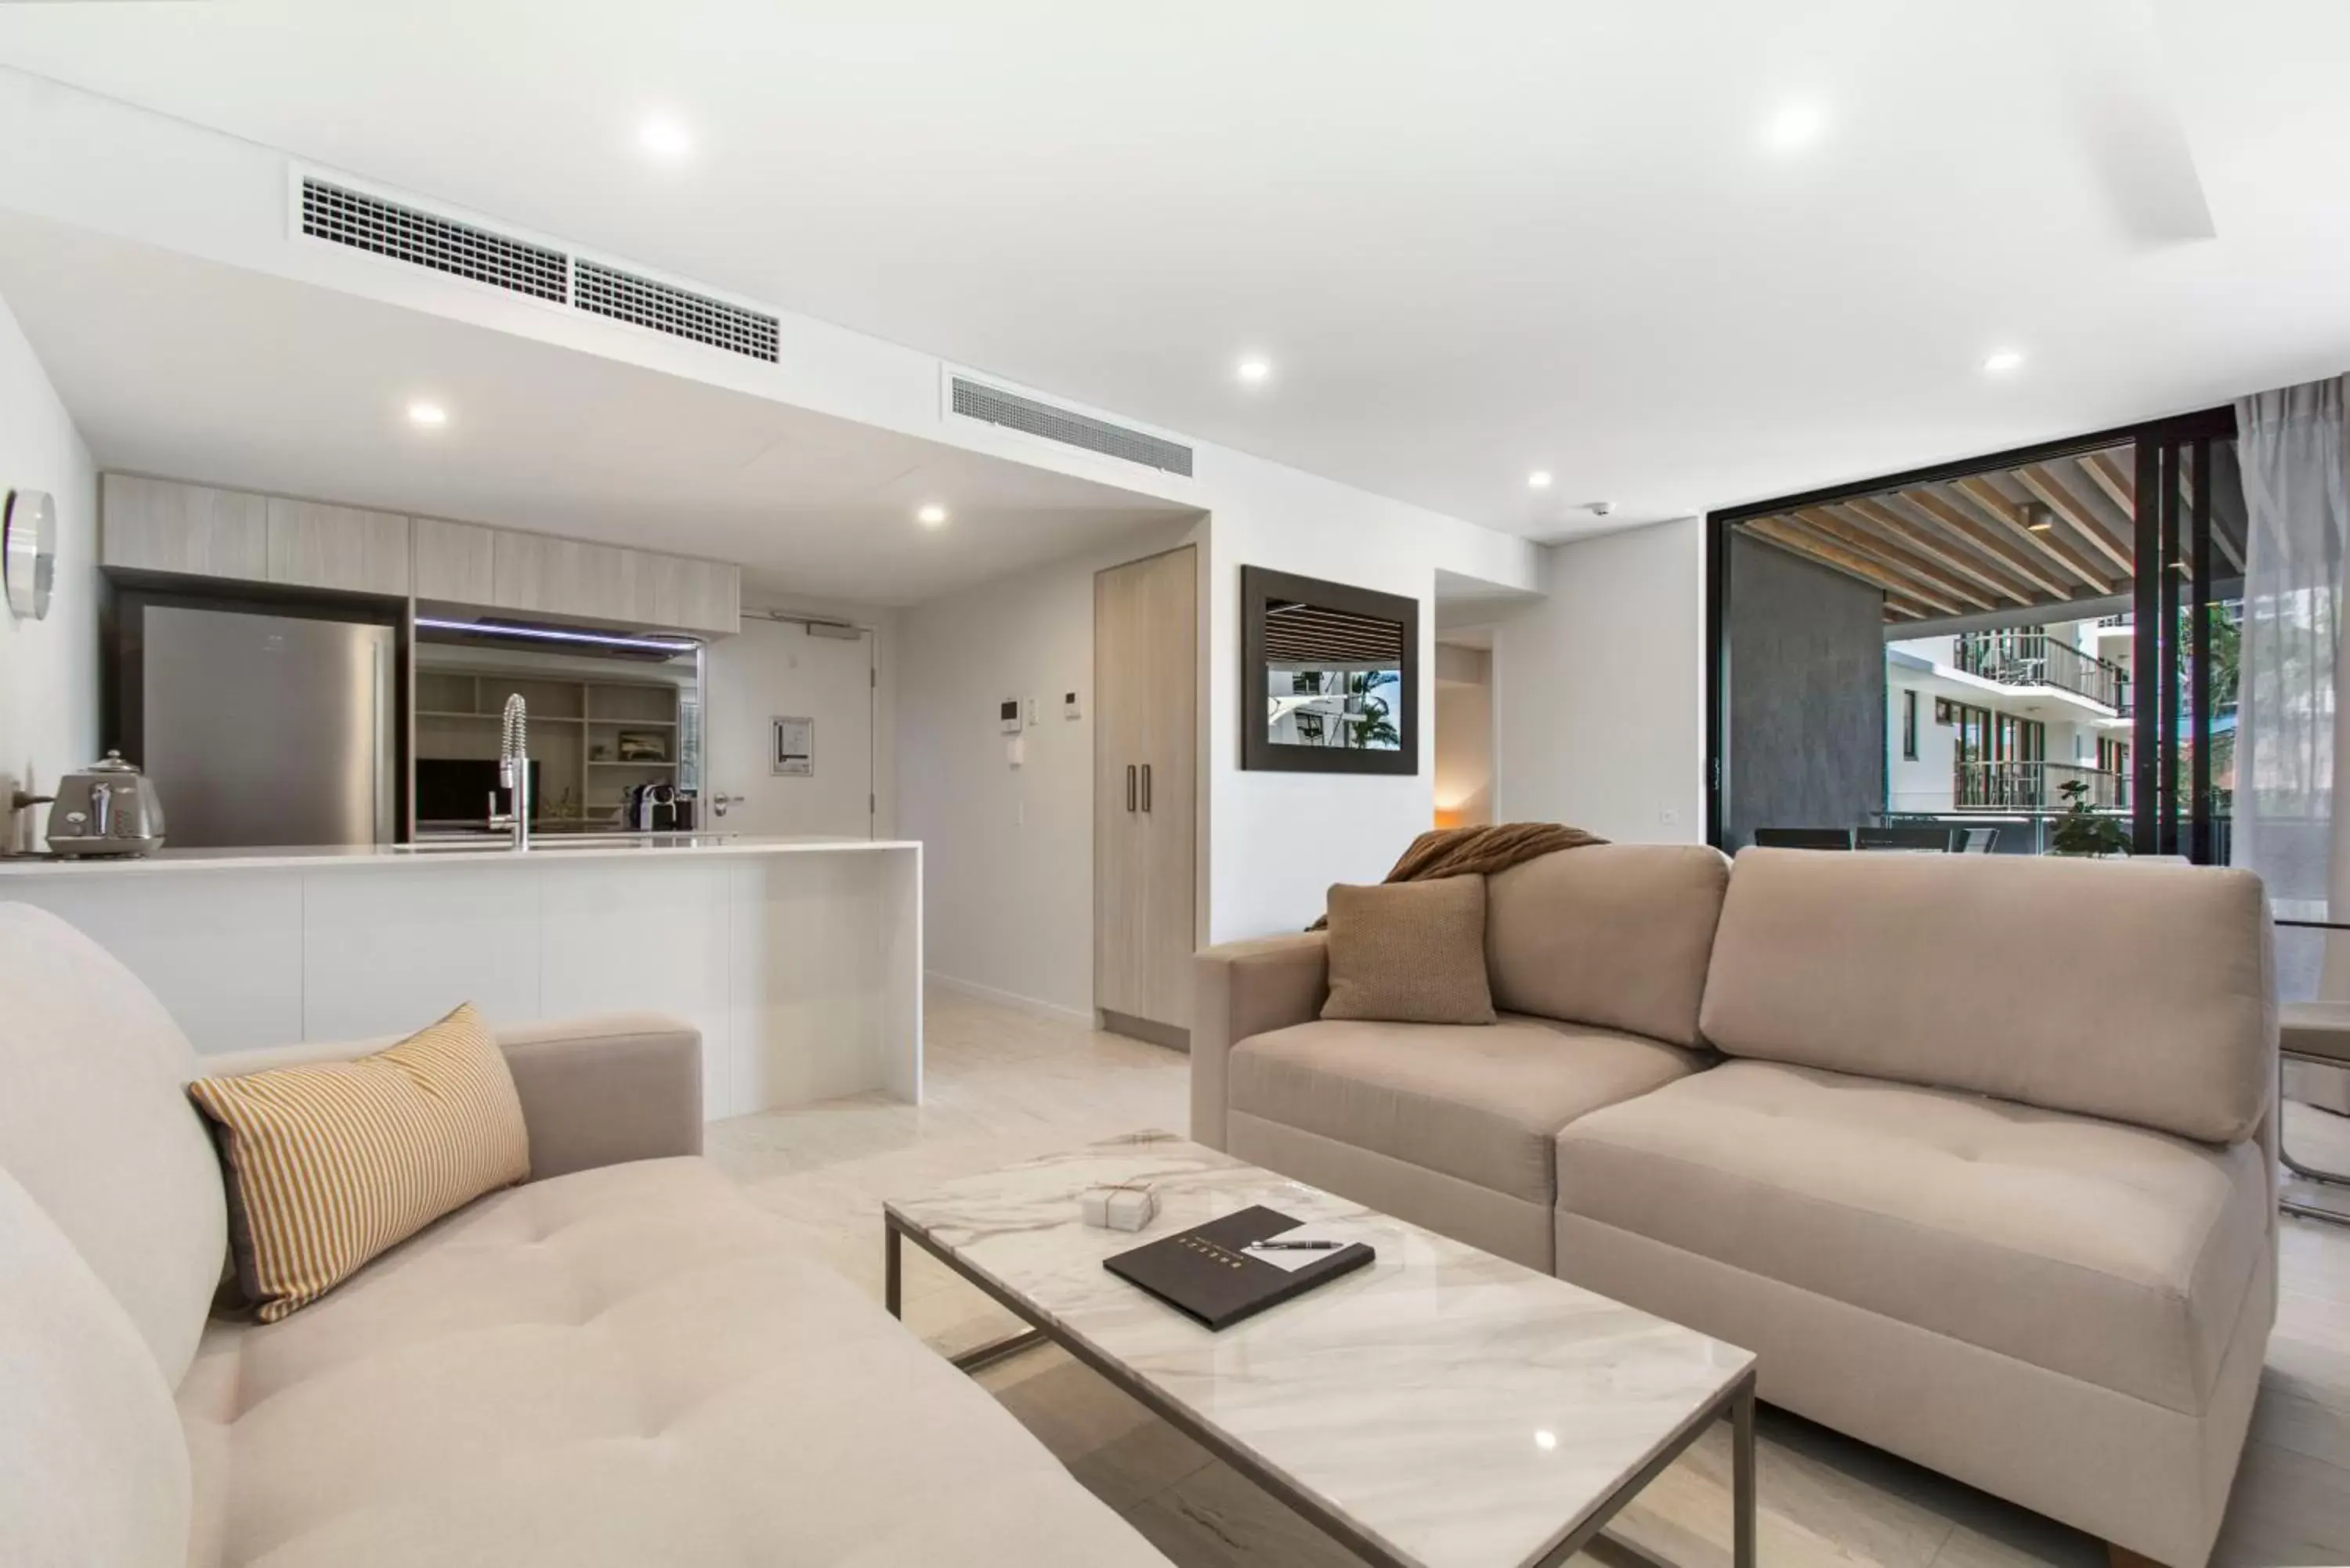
(1609, 934)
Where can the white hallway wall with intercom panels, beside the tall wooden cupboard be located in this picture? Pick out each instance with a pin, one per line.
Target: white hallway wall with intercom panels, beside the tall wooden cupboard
(1007, 852)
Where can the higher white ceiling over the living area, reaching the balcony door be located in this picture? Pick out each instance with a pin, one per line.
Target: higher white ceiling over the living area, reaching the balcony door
(1472, 239)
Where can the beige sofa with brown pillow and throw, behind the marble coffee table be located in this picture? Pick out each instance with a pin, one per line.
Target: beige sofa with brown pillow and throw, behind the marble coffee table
(1973, 1151)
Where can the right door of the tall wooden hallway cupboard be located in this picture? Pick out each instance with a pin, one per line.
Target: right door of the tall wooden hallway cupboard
(1169, 749)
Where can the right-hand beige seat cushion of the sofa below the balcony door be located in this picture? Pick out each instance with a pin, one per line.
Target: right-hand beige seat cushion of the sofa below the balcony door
(2093, 1249)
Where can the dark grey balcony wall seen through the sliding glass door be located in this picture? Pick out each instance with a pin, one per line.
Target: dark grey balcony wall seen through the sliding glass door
(1804, 695)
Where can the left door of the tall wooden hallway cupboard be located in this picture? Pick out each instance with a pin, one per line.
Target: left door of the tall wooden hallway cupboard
(1117, 784)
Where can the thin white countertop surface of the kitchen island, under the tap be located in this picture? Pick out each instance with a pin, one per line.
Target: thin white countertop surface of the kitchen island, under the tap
(337, 857)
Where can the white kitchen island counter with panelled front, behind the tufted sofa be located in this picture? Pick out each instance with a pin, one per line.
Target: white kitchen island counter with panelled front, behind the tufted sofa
(800, 960)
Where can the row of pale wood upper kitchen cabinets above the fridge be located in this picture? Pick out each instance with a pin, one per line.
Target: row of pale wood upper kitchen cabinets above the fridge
(194, 530)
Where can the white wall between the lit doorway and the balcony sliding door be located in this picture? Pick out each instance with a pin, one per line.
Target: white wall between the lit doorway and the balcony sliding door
(1599, 690)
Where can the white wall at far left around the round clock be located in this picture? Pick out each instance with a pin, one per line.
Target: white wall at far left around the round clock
(48, 669)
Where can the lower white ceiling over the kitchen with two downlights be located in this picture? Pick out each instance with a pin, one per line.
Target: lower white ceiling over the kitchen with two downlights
(206, 373)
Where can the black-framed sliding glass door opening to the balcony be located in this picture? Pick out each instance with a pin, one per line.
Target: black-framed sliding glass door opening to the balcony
(2025, 655)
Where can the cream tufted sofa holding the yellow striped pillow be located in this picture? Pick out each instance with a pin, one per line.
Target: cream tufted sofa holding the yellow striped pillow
(617, 1365)
